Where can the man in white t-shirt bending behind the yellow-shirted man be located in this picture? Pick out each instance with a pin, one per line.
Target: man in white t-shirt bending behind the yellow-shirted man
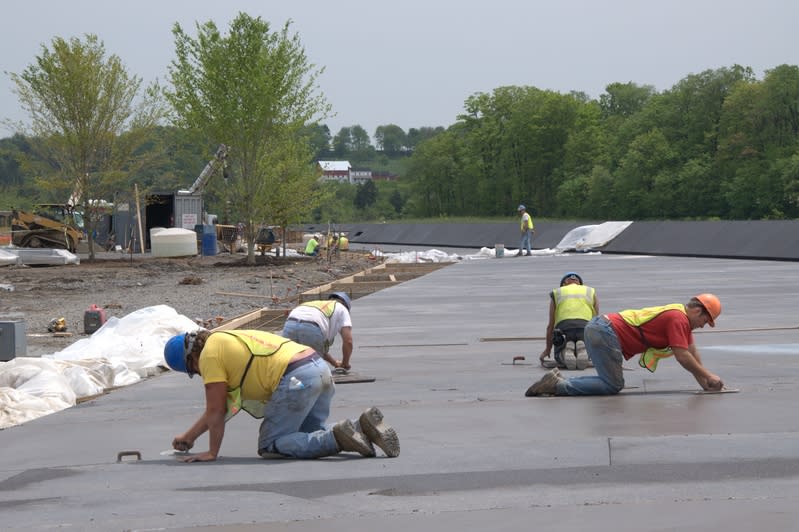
(317, 323)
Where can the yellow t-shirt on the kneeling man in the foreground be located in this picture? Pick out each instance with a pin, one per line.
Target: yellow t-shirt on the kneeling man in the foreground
(224, 358)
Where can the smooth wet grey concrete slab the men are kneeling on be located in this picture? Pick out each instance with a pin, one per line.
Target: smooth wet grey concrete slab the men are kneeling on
(476, 454)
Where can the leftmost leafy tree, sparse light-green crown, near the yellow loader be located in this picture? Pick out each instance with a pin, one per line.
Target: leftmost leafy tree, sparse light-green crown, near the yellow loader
(88, 116)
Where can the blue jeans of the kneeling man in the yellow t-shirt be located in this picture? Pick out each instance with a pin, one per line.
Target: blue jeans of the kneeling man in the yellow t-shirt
(295, 416)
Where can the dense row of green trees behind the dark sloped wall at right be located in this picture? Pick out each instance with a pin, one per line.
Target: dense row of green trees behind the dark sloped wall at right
(718, 144)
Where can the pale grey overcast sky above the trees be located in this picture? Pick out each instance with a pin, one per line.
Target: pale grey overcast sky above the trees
(413, 63)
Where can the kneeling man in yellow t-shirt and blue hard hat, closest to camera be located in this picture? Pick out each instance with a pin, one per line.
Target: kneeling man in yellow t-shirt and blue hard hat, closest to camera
(273, 378)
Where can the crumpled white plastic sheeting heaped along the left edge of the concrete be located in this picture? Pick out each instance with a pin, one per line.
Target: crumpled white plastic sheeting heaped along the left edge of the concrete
(121, 352)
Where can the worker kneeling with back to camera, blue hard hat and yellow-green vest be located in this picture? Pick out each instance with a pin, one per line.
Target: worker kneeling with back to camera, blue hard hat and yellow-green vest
(571, 306)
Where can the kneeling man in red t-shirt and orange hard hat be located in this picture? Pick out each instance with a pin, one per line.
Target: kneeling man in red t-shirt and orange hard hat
(654, 332)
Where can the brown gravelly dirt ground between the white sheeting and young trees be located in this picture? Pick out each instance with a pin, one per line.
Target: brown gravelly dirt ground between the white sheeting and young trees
(205, 289)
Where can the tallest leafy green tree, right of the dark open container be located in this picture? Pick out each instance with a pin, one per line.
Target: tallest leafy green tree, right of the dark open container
(254, 90)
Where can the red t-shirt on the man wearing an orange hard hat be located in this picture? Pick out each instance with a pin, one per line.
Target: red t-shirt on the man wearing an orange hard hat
(668, 329)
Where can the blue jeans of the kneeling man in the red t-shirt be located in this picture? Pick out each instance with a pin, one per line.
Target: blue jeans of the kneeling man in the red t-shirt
(603, 347)
